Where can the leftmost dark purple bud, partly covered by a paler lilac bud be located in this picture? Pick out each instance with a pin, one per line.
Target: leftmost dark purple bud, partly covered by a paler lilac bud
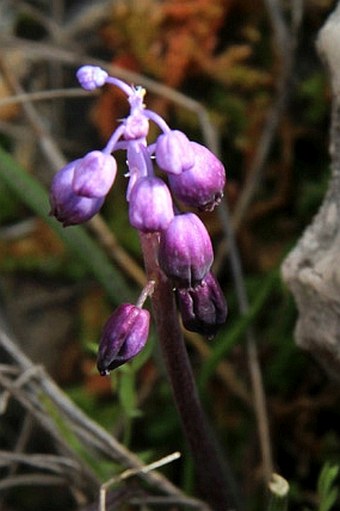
(66, 206)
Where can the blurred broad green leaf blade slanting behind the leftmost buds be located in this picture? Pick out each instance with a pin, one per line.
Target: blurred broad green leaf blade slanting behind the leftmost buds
(33, 194)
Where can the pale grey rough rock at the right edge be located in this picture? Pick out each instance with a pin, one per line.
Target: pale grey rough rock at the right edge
(312, 269)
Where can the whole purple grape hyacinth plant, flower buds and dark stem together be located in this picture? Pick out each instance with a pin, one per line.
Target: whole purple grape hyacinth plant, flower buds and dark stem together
(177, 250)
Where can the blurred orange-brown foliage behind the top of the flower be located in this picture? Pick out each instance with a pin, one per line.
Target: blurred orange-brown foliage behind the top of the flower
(172, 41)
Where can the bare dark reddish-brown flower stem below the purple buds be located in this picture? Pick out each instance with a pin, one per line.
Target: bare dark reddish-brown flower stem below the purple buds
(210, 470)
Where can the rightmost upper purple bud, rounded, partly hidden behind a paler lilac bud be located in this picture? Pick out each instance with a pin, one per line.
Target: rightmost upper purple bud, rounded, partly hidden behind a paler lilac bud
(202, 185)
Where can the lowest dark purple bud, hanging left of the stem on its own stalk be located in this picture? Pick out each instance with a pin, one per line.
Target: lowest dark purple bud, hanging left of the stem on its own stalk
(124, 336)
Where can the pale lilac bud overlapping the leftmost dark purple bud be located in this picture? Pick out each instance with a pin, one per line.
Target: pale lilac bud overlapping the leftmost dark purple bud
(94, 174)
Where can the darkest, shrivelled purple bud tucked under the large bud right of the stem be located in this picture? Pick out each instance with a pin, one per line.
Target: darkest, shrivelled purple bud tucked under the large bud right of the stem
(203, 307)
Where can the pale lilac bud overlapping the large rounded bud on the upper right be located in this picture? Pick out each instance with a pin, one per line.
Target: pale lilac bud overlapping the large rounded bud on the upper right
(174, 152)
